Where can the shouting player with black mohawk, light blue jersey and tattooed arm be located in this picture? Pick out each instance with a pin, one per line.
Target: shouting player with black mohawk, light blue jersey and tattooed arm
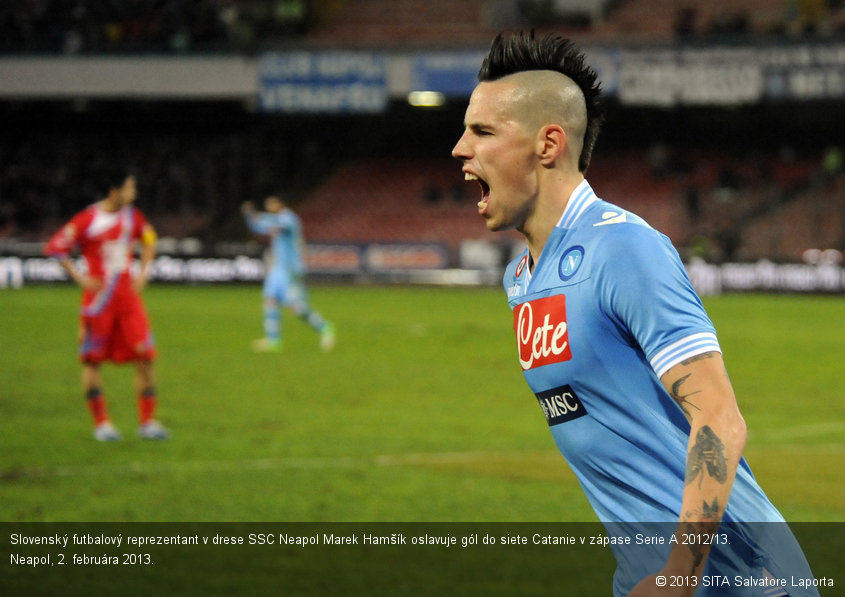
(612, 338)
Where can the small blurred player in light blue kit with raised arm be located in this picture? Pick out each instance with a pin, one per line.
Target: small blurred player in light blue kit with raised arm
(283, 284)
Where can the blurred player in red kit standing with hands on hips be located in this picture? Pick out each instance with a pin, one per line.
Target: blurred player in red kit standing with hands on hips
(114, 323)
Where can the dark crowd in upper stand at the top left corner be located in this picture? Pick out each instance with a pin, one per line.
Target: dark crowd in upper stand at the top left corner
(125, 26)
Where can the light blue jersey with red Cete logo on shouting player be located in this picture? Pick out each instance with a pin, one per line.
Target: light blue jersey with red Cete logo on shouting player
(606, 311)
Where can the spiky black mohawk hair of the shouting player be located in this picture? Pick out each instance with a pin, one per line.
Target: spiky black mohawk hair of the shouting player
(522, 52)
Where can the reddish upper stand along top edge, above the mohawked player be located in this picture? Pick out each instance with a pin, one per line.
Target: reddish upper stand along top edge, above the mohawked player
(380, 22)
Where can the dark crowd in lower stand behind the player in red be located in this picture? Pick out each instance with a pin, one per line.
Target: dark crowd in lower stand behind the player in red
(190, 182)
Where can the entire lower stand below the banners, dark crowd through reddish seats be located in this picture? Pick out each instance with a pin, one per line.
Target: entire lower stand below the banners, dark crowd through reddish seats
(764, 204)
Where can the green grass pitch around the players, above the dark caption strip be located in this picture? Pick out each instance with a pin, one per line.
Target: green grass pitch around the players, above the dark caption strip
(419, 414)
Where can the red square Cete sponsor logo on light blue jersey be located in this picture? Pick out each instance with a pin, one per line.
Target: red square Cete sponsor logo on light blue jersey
(542, 336)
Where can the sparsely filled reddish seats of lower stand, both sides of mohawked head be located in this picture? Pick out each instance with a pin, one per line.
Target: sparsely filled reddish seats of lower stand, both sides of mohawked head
(385, 199)
